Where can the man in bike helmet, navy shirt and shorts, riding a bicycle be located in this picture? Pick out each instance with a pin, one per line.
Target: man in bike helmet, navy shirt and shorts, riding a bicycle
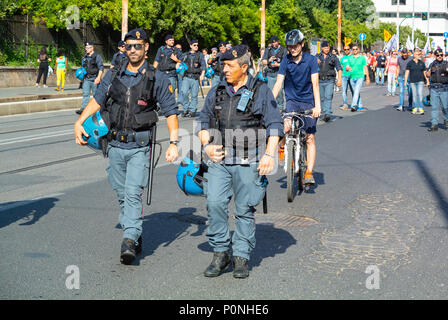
(299, 72)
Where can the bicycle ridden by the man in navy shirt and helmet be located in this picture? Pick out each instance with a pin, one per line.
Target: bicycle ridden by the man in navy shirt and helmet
(295, 153)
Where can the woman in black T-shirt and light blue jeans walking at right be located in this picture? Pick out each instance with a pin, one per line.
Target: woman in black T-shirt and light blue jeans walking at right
(415, 72)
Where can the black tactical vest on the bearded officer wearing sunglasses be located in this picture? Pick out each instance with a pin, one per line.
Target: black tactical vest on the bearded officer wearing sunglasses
(131, 108)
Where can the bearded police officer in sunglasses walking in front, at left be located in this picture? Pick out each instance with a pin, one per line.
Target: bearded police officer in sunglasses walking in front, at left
(127, 99)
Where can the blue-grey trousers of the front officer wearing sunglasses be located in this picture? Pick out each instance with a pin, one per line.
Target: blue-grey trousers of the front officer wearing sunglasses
(128, 172)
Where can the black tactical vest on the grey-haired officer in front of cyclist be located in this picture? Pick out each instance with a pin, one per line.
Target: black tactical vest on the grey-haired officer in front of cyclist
(226, 116)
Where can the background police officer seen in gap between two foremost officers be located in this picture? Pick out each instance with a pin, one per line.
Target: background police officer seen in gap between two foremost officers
(192, 77)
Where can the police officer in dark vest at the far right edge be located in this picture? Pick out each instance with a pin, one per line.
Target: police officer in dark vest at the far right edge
(438, 77)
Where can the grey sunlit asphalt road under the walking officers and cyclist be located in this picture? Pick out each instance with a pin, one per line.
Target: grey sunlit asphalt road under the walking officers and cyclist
(381, 204)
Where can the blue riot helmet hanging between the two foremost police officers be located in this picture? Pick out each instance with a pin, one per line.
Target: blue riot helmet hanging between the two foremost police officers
(190, 177)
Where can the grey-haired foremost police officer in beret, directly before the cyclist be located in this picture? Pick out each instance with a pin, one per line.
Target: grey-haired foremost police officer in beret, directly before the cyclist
(237, 117)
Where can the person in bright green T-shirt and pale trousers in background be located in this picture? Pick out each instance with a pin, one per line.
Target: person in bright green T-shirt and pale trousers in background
(357, 65)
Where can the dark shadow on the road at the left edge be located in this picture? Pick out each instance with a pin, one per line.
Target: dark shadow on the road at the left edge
(30, 211)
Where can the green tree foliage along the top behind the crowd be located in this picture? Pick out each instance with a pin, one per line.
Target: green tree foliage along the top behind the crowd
(212, 21)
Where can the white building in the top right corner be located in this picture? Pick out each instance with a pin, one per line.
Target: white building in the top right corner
(436, 25)
